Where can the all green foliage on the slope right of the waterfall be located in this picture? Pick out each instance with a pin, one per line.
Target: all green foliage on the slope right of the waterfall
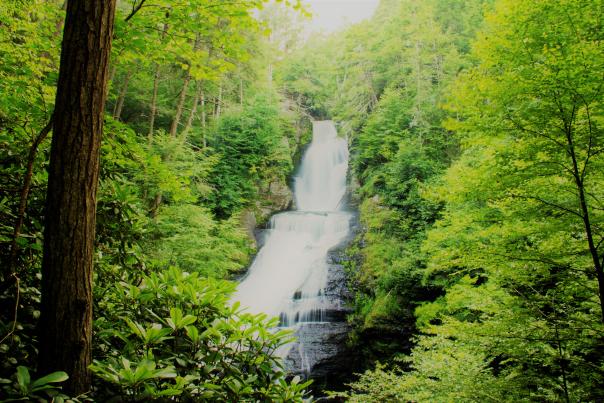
(480, 183)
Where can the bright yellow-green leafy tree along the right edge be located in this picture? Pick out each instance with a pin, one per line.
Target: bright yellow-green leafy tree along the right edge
(517, 248)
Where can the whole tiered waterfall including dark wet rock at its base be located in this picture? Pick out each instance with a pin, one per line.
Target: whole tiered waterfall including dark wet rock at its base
(295, 275)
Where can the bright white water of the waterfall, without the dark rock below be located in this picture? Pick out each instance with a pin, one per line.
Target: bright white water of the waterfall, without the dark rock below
(289, 275)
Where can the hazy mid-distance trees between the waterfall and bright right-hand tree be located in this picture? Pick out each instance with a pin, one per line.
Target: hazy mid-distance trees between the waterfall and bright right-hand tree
(384, 81)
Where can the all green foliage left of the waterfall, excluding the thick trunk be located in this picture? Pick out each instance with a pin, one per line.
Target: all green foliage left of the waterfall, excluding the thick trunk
(157, 204)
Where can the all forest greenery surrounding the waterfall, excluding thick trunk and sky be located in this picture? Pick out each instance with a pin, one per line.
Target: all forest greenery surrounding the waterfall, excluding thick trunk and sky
(475, 131)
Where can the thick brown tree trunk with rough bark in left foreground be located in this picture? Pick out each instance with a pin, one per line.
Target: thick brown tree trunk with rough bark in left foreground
(66, 308)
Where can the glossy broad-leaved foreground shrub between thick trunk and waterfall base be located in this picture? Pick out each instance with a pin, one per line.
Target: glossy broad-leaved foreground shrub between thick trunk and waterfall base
(175, 334)
